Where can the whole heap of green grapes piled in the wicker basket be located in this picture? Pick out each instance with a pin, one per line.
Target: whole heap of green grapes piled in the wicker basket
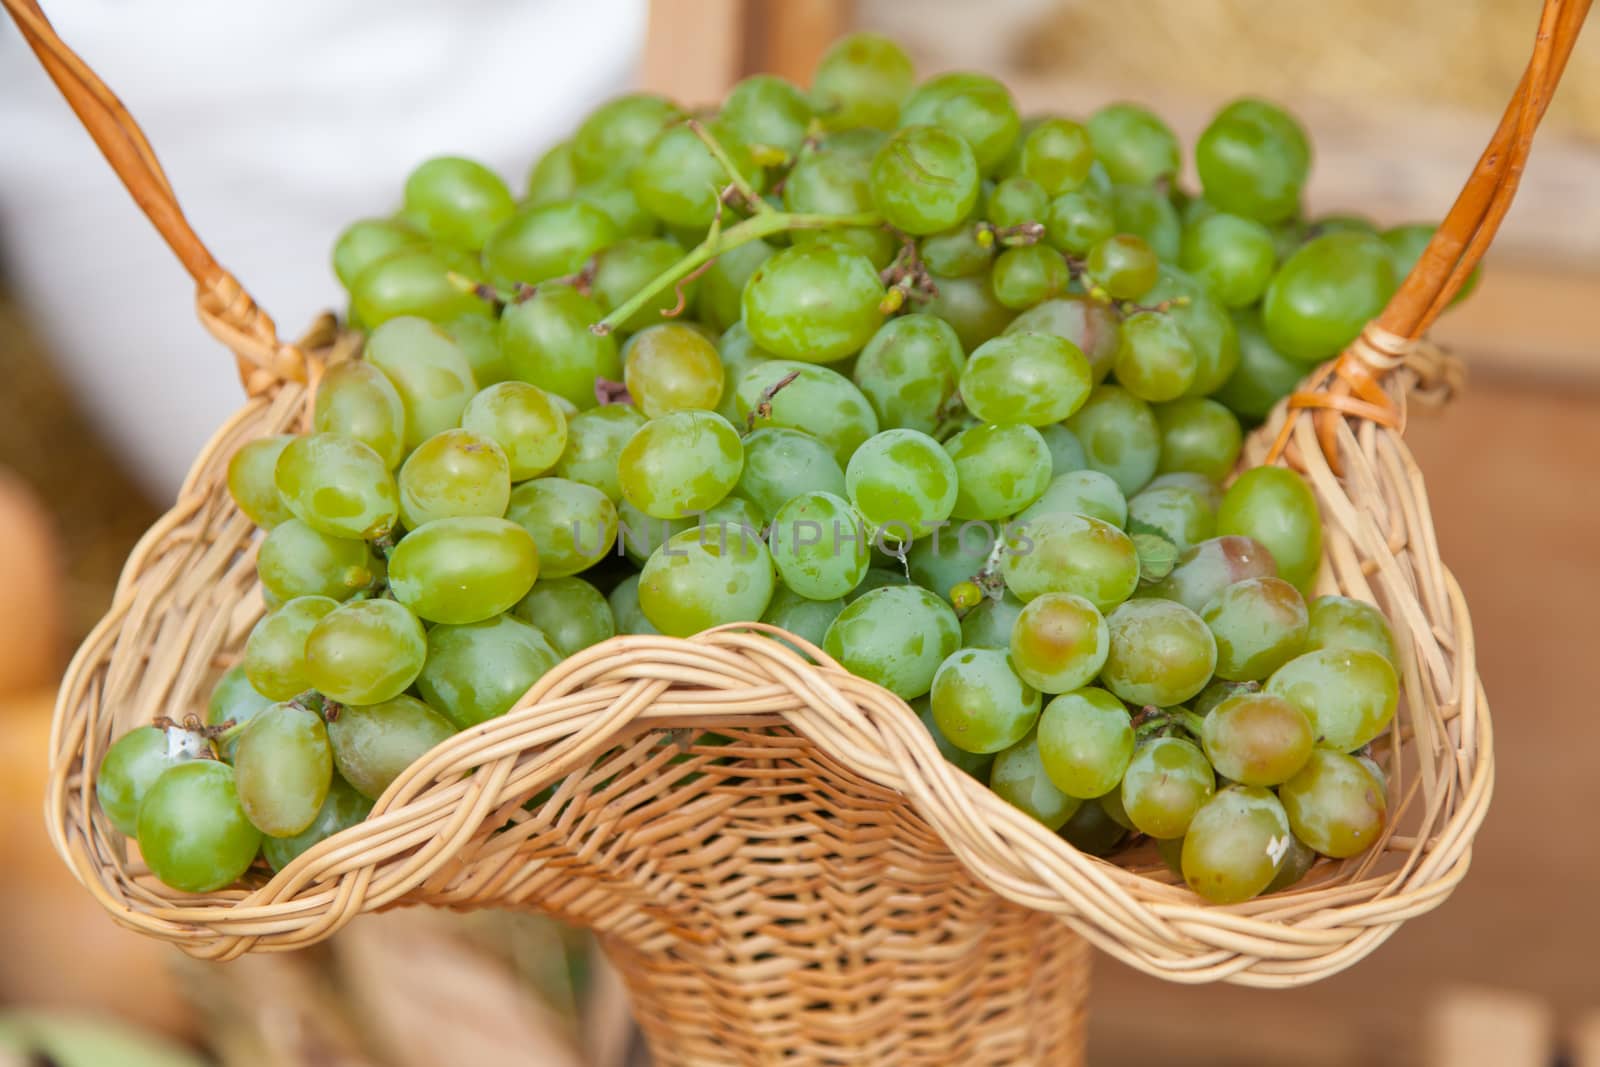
(951, 394)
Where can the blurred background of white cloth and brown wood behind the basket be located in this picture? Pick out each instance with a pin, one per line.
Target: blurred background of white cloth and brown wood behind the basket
(281, 124)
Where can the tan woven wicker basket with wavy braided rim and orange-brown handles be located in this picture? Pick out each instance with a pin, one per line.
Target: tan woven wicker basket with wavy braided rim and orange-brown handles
(818, 885)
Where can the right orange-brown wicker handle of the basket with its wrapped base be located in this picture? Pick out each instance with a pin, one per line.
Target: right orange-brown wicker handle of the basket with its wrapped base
(1353, 386)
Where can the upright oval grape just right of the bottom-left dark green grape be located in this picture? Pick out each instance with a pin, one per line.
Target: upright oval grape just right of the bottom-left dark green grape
(282, 770)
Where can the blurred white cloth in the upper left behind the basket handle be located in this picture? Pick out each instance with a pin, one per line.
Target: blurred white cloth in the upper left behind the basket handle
(278, 126)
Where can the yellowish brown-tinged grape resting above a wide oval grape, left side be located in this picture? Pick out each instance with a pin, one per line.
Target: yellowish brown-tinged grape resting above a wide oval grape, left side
(454, 474)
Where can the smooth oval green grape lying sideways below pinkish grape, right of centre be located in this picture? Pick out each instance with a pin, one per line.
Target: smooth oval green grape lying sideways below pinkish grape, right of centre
(1033, 378)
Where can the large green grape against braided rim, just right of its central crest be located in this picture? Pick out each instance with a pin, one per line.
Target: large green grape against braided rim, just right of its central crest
(895, 636)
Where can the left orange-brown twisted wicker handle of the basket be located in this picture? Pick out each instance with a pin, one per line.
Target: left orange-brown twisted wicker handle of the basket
(225, 308)
